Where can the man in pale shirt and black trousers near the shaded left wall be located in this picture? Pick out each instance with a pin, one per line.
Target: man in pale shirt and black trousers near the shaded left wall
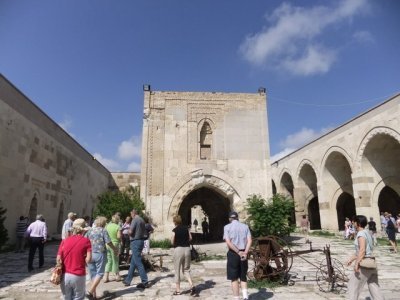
(37, 233)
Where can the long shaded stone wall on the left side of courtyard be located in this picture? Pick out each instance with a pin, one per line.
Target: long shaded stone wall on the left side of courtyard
(43, 170)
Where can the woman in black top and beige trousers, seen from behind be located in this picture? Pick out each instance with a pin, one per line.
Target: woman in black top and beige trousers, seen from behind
(180, 240)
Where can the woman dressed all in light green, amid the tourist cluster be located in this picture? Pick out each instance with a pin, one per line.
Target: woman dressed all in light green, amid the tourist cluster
(114, 231)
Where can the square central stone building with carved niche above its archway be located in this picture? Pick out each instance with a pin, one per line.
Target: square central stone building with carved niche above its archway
(207, 150)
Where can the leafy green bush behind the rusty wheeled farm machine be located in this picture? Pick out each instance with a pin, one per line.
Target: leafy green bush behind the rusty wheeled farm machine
(270, 217)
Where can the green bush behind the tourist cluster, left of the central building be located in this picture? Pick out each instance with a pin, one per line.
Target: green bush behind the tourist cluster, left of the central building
(121, 201)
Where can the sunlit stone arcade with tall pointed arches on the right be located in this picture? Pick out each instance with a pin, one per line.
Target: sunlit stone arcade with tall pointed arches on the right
(354, 169)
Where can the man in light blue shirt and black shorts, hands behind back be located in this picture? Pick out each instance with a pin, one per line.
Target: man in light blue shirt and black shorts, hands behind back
(238, 239)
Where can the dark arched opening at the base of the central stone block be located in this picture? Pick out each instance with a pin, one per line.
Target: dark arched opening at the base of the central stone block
(215, 206)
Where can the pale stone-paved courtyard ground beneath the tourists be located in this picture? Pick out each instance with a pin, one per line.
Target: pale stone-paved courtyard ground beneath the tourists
(209, 276)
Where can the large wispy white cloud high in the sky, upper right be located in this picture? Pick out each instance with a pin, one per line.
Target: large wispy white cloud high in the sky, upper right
(289, 42)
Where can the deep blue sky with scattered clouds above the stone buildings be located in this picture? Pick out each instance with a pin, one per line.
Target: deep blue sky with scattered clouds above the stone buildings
(84, 62)
